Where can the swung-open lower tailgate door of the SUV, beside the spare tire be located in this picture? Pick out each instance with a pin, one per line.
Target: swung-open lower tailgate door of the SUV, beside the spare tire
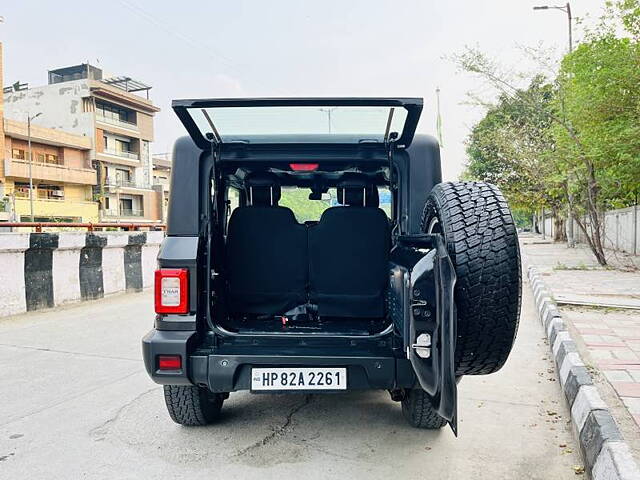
(431, 341)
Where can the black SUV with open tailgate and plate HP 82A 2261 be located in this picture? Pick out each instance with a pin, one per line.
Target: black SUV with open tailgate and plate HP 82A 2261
(378, 276)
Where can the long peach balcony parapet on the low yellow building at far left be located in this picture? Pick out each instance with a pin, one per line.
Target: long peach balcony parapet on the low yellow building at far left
(49, 171)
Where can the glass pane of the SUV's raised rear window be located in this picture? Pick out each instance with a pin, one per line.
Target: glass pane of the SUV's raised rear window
(299, 124)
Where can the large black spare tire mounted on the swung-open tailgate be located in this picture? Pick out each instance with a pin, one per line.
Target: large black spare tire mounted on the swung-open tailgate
(481, 239)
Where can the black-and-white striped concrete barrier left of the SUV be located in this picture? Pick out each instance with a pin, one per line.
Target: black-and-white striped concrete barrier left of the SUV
(44, 270)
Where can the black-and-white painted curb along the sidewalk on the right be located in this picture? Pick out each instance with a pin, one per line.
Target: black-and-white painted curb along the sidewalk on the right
(606, 454)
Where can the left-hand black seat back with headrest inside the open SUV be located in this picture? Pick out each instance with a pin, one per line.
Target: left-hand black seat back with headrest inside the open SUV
(266, 254)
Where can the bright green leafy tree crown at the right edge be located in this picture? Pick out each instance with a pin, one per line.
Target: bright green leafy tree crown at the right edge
(600, 84)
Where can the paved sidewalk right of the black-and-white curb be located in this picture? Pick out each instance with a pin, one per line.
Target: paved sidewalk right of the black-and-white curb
(610, 335)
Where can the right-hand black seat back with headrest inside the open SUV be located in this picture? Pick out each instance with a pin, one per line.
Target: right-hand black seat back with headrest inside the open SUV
(349, 253)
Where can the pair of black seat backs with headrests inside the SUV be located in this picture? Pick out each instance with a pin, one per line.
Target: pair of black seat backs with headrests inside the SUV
(275, 264)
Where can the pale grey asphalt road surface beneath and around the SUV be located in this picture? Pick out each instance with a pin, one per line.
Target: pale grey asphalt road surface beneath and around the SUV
(75, 402)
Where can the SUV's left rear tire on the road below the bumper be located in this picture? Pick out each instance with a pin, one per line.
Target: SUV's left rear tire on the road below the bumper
(192, 406)
